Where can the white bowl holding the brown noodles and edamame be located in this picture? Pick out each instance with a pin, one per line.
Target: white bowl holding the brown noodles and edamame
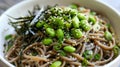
(22, 8)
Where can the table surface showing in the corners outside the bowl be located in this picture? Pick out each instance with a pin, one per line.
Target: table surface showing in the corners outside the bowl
(5, 4)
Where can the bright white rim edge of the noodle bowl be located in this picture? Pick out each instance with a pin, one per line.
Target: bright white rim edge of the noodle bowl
(29, 1)
